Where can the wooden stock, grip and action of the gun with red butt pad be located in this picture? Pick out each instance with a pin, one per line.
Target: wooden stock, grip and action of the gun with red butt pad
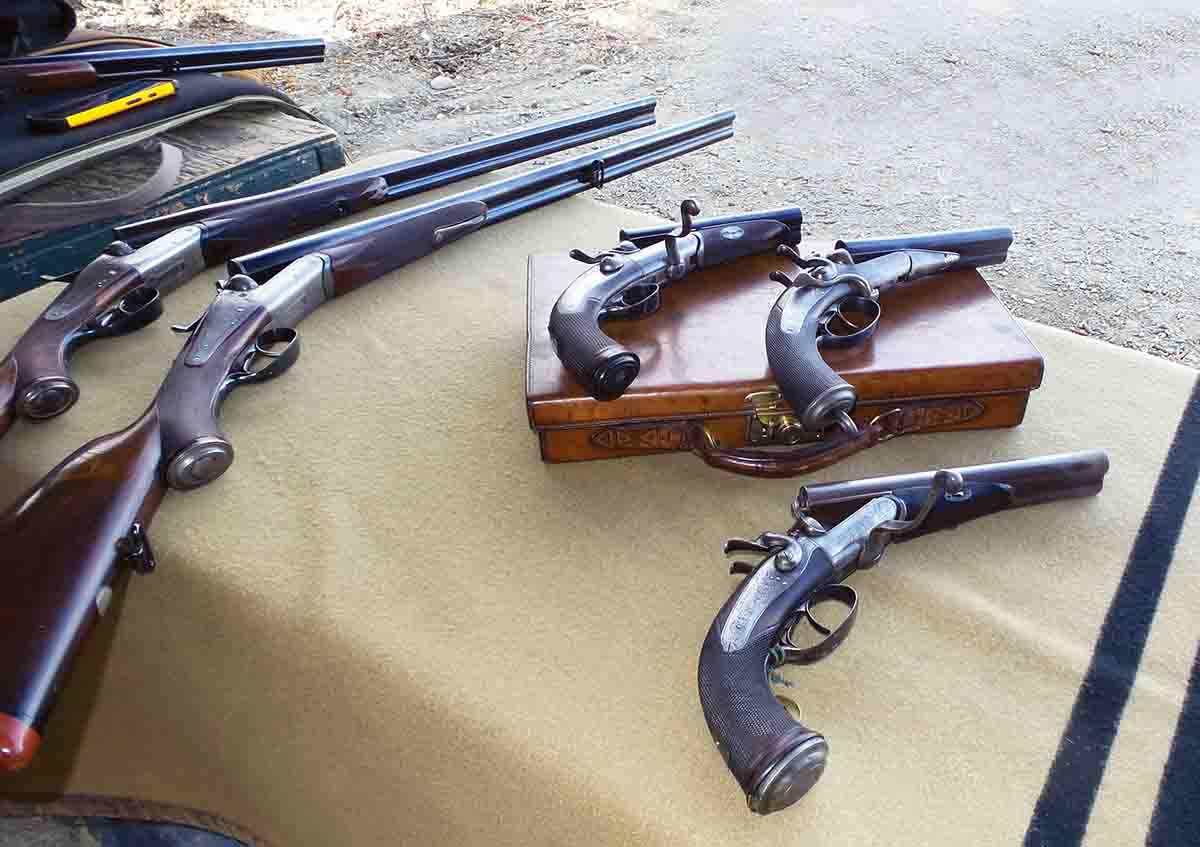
(65, 540)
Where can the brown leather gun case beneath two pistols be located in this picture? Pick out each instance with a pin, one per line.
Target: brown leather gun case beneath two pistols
(704, 355)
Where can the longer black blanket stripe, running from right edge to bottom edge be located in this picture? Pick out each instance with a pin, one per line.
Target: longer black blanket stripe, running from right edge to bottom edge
(1061, 815)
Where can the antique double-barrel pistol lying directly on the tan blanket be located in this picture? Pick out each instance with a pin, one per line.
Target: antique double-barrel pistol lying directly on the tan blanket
(841, 528)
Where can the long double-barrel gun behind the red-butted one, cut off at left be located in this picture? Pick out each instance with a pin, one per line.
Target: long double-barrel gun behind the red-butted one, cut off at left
(123, 290)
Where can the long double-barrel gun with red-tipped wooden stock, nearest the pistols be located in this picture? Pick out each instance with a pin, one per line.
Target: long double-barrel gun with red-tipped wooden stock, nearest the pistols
(65, 542)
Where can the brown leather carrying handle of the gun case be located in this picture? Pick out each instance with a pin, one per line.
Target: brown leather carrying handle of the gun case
(805, 459)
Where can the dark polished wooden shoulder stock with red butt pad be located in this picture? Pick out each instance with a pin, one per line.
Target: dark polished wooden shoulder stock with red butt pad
(58, 574)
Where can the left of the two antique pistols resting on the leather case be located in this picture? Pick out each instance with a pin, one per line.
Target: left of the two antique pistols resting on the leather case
(627, 283)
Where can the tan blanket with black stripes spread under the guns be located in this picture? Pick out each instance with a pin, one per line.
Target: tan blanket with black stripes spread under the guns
(391, 623)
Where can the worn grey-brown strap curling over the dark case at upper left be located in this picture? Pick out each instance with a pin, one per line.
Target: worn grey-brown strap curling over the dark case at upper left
(21, 220)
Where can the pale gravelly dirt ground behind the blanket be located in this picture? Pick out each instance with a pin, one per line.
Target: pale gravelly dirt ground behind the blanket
(1075, 122)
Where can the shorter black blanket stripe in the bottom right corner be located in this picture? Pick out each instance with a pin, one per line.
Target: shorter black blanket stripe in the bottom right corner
(1178, 813)
